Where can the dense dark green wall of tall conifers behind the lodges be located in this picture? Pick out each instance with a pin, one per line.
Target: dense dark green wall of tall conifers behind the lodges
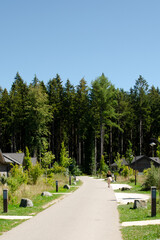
(91, 122)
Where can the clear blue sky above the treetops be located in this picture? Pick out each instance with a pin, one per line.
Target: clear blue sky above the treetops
(76, 39)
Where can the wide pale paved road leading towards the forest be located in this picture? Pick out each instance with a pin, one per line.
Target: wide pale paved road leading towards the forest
(90, 213)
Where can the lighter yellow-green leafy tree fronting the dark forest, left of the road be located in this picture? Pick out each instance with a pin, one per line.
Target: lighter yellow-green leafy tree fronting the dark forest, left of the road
(39, 116)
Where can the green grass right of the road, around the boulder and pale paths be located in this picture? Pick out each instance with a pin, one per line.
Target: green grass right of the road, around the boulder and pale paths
(127, 213)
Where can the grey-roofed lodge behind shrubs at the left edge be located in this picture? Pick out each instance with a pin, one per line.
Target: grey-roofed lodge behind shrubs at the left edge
(9, 159)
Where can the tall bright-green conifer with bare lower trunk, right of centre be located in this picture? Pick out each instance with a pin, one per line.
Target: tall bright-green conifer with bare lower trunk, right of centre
(103, 103)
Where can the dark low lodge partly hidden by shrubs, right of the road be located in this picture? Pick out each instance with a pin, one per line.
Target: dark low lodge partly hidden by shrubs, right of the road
(140, 163)
